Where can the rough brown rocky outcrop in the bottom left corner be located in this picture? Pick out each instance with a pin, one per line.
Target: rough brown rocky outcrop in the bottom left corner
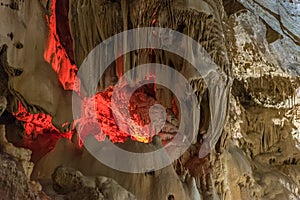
(15, 172)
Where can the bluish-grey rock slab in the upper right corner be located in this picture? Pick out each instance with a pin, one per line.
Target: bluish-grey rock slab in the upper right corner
(282, 17)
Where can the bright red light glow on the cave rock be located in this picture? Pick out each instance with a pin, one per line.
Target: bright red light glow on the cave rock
(92, 116)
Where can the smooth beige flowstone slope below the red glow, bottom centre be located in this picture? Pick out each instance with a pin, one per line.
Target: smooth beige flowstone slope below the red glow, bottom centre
(164, 182)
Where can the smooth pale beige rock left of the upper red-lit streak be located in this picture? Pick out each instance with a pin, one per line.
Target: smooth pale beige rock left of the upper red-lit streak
(24, 53)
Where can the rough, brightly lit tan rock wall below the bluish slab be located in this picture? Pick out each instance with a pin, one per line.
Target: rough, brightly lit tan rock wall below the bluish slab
(260, 154)
